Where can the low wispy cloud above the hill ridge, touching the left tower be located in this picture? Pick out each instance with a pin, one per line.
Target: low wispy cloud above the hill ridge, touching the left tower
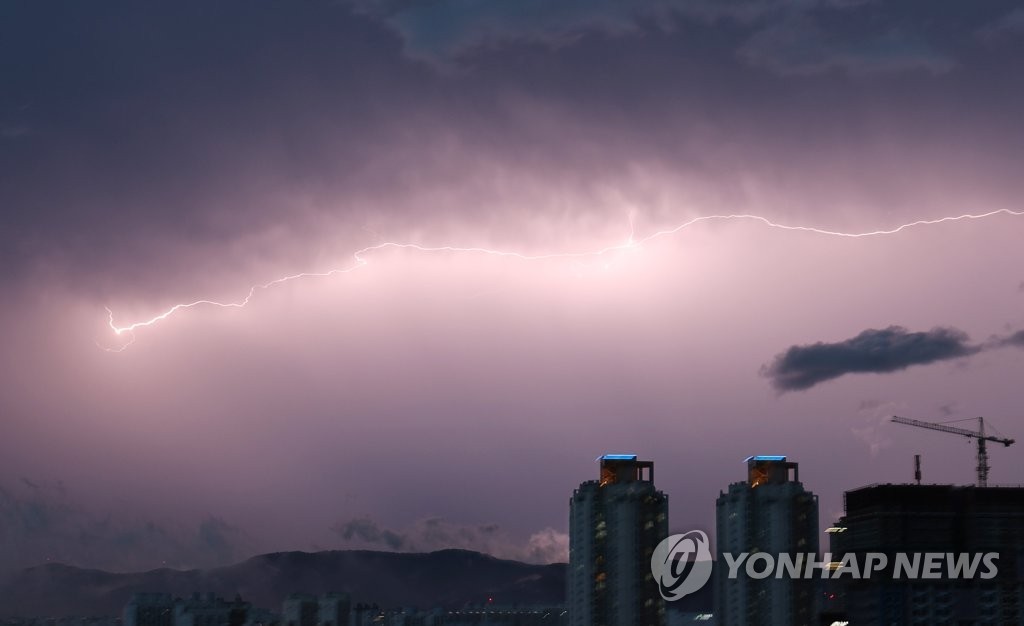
(433, 534)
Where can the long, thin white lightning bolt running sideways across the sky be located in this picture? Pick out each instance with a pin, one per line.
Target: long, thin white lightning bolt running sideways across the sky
(360, 259)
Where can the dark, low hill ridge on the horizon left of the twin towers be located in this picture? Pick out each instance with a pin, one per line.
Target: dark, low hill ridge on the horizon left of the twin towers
(446, 578)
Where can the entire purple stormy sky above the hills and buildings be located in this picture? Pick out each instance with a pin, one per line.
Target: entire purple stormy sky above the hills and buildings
(162, 153)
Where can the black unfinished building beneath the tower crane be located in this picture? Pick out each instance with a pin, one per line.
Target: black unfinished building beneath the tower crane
(938, 519)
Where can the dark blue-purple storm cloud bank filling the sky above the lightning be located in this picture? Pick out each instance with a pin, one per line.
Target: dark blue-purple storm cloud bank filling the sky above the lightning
(197, 124)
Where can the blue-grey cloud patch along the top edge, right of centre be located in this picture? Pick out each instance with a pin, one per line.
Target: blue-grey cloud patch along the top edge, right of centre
(788, 38)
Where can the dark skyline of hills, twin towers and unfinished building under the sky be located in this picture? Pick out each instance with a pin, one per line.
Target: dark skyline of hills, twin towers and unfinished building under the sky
(619, 567)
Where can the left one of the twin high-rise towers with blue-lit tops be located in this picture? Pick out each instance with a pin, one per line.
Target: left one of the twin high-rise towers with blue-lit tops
(615, 525)
